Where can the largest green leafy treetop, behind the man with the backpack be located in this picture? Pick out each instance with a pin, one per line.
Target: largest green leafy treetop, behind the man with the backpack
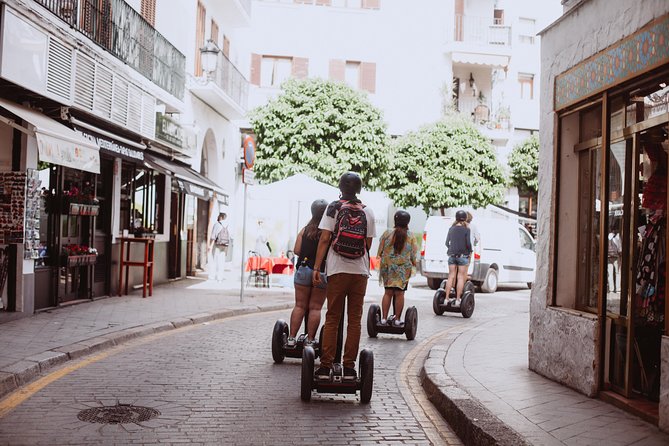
(322, 129)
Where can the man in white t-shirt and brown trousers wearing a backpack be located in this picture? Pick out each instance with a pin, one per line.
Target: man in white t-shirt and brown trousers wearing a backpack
(347, 231)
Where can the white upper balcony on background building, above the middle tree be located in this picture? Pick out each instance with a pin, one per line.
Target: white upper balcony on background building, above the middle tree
(479, 40)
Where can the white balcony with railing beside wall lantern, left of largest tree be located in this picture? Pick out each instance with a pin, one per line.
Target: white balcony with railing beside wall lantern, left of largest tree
(225, 89)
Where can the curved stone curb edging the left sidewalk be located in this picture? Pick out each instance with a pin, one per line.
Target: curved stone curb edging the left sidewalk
(20, 373)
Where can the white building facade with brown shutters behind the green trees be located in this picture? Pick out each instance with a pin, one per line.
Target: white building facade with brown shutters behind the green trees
(480, 57)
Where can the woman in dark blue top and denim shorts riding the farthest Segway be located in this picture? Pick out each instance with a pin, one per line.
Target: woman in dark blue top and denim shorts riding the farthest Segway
(459, 247)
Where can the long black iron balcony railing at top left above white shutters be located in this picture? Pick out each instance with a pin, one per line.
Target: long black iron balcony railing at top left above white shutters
(119, 29)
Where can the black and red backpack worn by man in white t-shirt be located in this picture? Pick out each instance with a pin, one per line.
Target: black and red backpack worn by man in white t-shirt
(350, 231)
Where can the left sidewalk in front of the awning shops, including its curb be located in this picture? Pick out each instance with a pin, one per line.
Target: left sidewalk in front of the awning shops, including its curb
(34, 344)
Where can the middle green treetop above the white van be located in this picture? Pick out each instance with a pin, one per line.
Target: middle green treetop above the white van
(446, 164)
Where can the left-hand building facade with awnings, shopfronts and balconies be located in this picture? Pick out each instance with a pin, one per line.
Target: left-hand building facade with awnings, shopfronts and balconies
(109, 129)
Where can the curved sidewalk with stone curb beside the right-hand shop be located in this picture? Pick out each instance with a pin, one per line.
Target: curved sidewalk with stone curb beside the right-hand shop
(480, 382)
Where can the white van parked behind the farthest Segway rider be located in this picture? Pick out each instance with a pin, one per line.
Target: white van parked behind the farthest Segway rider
(505, 253)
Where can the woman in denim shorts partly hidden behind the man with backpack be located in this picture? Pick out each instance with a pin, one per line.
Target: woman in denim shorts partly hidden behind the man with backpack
(309, 297)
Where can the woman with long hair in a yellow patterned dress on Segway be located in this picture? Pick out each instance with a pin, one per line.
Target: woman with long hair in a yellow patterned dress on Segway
(397, 251)
